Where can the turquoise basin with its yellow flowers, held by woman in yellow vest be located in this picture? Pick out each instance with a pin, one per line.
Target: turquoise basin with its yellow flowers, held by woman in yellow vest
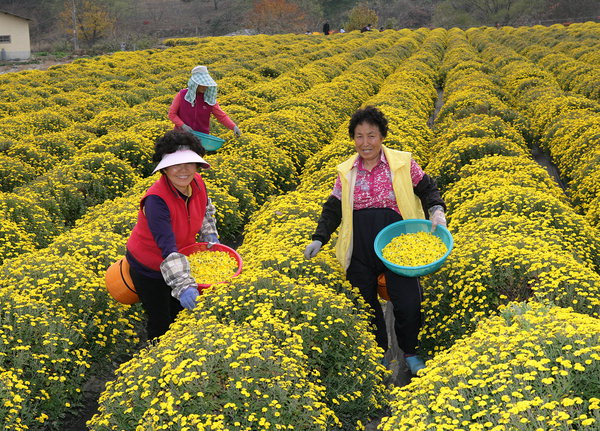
(410, 249)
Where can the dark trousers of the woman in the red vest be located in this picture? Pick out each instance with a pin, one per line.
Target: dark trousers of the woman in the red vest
(161, 308)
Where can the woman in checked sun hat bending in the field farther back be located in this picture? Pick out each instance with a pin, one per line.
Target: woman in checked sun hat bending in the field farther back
(191, 108)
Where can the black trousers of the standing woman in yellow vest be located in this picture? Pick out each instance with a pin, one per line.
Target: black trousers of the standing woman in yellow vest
(404, 292)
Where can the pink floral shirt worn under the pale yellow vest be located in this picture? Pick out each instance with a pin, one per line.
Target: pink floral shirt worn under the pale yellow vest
(373, 189)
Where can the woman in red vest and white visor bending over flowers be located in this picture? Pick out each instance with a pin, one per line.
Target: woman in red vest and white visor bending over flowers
(173, 211)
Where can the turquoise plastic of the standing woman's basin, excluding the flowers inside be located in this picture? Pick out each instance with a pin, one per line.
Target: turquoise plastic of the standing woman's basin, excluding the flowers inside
(412, 226)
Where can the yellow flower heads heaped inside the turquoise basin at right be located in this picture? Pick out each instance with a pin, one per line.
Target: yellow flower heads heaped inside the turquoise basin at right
(414, 249)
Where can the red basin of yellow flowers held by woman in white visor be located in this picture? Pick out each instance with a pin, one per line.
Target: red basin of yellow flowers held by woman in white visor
(212, 265)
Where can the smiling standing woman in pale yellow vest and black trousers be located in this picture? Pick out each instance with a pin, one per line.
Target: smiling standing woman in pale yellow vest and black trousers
(374, 188)
